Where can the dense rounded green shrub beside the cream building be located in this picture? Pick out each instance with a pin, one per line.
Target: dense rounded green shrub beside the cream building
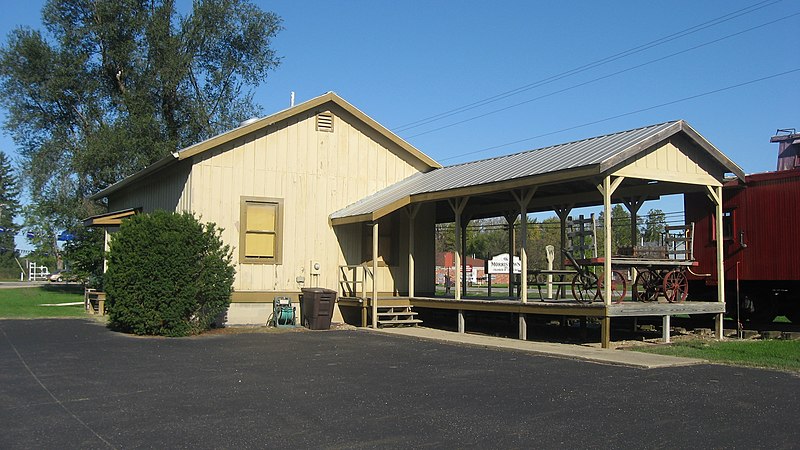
(168, 275)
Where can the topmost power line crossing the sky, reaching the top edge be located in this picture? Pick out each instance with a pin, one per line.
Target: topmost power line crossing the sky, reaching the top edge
(591, 65)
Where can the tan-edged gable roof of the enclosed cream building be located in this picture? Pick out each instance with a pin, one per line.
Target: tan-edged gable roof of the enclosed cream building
(264, 122)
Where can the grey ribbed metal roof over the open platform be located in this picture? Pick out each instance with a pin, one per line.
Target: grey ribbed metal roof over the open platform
(558, 163)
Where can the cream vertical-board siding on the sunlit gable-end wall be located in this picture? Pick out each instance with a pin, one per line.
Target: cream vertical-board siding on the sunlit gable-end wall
(314, 172)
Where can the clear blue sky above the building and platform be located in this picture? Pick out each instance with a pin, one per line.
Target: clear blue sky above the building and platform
(403, 61)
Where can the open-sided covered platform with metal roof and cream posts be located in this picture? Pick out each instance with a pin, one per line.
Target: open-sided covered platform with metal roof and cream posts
(628, 167)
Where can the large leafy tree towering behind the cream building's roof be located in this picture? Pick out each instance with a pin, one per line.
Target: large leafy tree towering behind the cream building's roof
(110, 86)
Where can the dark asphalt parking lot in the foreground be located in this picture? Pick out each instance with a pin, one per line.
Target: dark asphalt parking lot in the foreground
(75, 384)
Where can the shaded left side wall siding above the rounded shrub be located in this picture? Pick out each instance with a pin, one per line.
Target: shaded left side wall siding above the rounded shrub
(169, 189)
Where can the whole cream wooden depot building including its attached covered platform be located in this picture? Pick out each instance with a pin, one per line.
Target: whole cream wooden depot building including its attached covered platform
(309, 195)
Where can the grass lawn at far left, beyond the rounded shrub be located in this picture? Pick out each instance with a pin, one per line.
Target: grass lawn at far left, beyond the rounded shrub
(26, 302)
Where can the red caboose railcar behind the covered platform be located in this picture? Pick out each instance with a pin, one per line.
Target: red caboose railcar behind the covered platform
(761, 242)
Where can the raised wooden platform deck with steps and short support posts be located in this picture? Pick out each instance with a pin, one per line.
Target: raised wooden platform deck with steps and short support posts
(549, 307)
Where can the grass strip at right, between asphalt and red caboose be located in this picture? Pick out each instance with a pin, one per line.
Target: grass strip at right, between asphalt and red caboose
(771, 354)
